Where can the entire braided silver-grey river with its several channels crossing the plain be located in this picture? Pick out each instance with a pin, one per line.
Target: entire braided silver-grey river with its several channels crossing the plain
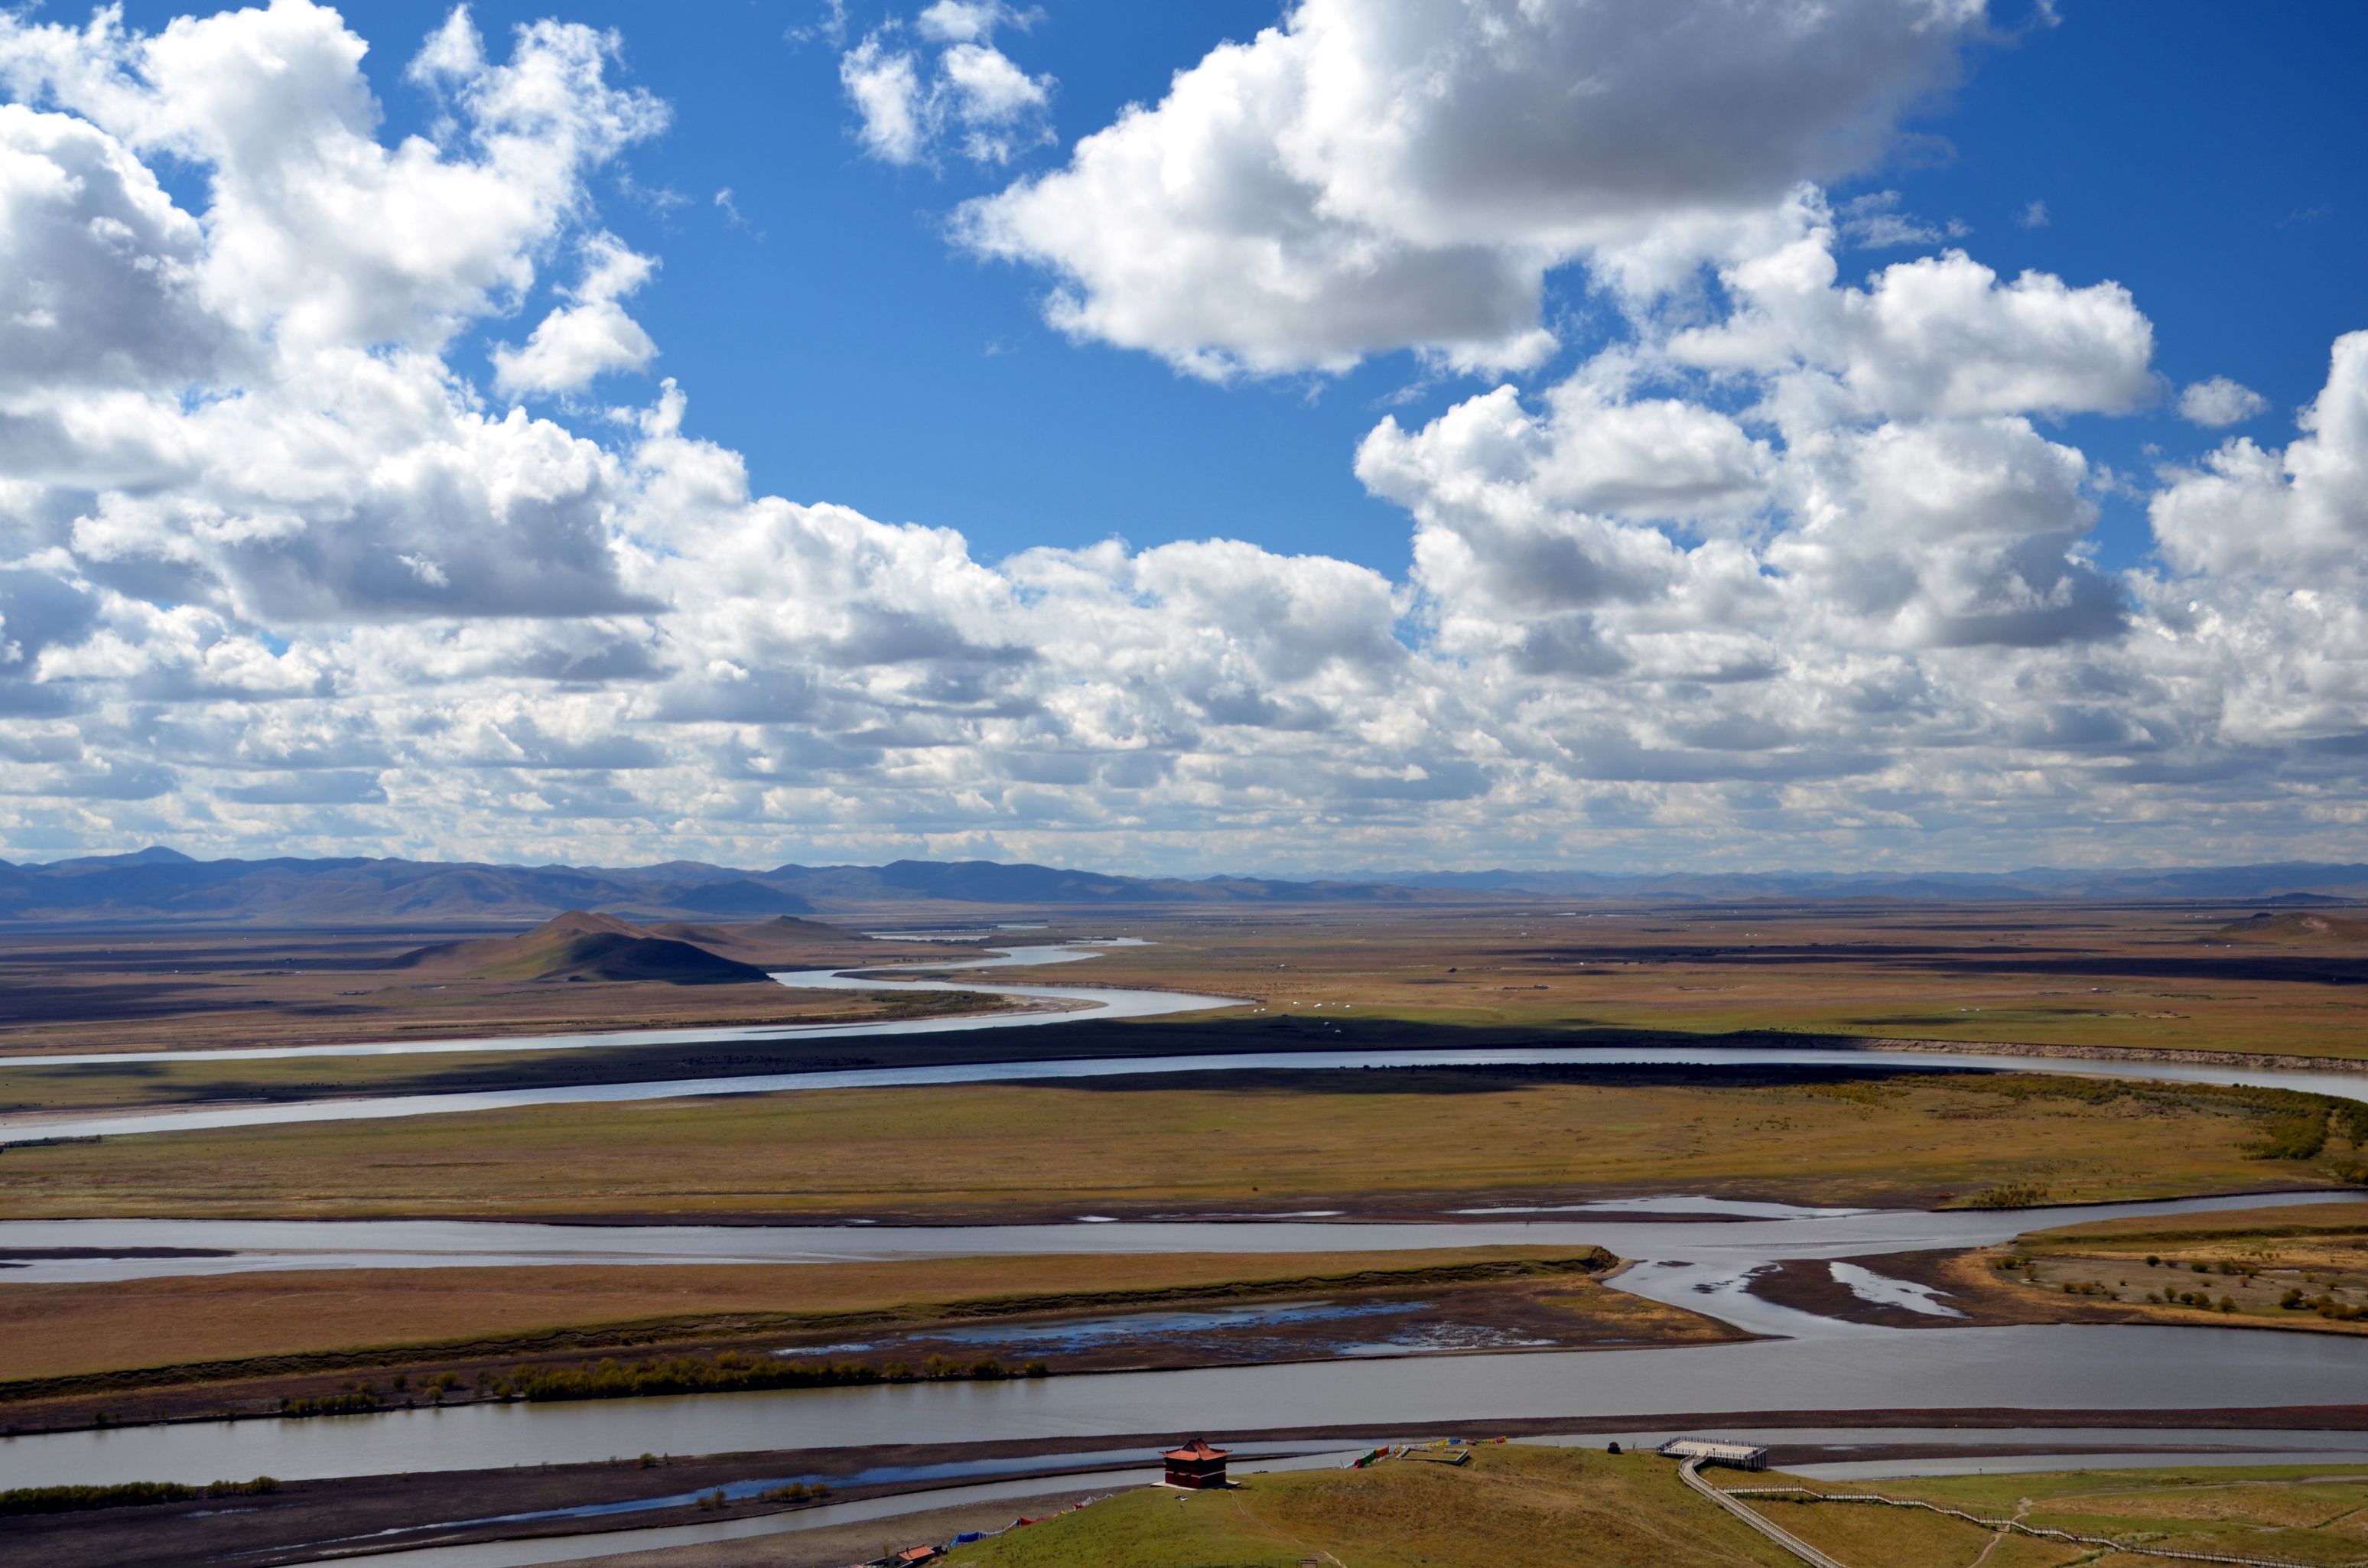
(1690, 1252)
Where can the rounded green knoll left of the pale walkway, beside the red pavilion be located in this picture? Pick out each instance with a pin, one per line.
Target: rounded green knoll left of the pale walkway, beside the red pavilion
(1512, 1505)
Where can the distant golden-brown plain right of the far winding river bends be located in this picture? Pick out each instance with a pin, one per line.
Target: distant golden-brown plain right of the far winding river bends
(2033, 975)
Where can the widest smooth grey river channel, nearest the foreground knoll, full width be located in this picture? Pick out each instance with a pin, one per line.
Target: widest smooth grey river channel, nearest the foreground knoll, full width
(2035, 1368)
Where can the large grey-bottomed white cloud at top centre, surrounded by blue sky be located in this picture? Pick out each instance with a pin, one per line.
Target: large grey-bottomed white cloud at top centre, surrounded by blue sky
(1382, 174)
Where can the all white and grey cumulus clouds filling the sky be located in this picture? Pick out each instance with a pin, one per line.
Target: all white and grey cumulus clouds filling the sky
(1798, 570)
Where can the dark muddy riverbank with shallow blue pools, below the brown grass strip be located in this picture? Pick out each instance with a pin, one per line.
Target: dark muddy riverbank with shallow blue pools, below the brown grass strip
(1552, 1299)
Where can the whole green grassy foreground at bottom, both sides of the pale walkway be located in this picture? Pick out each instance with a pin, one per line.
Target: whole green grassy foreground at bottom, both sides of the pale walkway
(1550, 1505)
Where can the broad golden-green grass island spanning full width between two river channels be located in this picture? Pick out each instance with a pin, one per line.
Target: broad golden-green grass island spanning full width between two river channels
(1360, 1140)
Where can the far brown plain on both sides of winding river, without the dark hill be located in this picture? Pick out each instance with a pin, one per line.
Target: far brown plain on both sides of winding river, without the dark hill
(2031, 975)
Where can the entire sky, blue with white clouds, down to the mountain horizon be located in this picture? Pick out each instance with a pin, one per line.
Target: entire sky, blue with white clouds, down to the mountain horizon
(1813, 536)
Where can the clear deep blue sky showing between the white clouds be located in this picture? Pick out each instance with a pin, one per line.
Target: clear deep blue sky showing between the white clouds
(851, 354)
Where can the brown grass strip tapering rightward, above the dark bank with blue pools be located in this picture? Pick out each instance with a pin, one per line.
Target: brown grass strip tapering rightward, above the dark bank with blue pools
(333, 1316)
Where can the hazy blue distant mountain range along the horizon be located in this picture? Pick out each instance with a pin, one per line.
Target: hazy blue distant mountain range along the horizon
(165, 887)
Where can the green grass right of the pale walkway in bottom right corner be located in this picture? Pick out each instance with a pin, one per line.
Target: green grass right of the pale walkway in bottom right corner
(2298, 1515)
